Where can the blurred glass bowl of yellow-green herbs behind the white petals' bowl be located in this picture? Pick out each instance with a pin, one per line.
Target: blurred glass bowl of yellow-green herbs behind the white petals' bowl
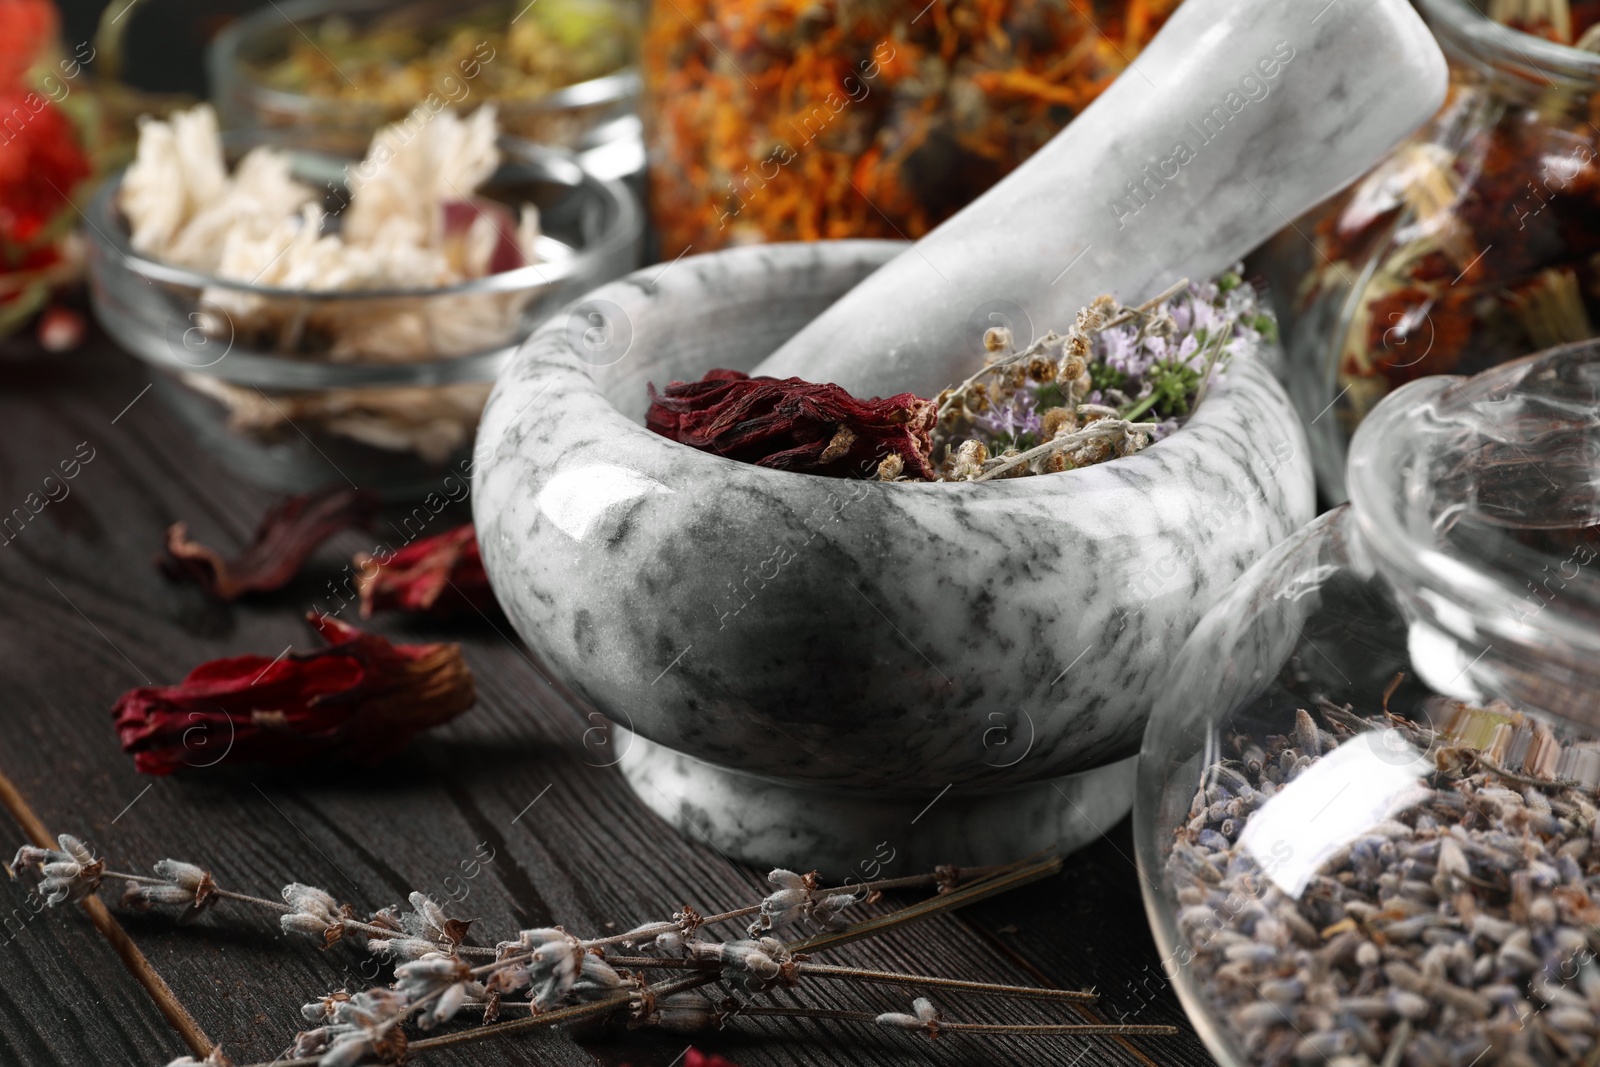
(559, 73)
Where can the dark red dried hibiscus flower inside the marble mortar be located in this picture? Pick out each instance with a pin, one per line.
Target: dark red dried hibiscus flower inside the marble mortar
(794, 425)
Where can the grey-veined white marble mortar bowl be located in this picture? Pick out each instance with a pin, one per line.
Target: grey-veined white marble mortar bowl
(860, 641)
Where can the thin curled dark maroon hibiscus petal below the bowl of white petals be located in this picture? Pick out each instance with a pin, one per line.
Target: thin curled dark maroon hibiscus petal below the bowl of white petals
(287, 535)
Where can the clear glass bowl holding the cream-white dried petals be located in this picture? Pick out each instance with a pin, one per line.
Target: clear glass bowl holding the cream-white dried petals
(286, 401)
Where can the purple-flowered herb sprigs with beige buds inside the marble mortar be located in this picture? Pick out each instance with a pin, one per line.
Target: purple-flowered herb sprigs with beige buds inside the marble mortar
(1078, 399)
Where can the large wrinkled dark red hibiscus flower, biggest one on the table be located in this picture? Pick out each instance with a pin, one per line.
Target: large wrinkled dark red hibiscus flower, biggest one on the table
(362, 698)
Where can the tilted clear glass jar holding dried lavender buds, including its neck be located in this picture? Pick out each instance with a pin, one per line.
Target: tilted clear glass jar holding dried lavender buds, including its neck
(1367, 813)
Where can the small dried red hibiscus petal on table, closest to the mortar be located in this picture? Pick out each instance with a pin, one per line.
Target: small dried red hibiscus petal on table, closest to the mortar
(438, 575)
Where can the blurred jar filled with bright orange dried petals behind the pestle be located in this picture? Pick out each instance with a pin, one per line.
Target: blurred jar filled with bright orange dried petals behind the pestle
(770, 121)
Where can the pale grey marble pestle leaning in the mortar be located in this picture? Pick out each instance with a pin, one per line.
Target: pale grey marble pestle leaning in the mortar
(1239, 116)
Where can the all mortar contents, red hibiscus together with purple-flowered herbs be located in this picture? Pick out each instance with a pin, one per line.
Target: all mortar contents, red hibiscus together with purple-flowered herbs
(1119, 380)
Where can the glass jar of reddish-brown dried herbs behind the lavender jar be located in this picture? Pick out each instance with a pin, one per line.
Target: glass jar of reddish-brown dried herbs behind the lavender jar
(1473, 244)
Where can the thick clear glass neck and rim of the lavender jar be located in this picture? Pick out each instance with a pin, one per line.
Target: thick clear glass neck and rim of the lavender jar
(1479, 500)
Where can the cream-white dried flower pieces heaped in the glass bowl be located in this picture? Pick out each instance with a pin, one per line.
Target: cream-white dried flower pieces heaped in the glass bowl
(412, 225)
